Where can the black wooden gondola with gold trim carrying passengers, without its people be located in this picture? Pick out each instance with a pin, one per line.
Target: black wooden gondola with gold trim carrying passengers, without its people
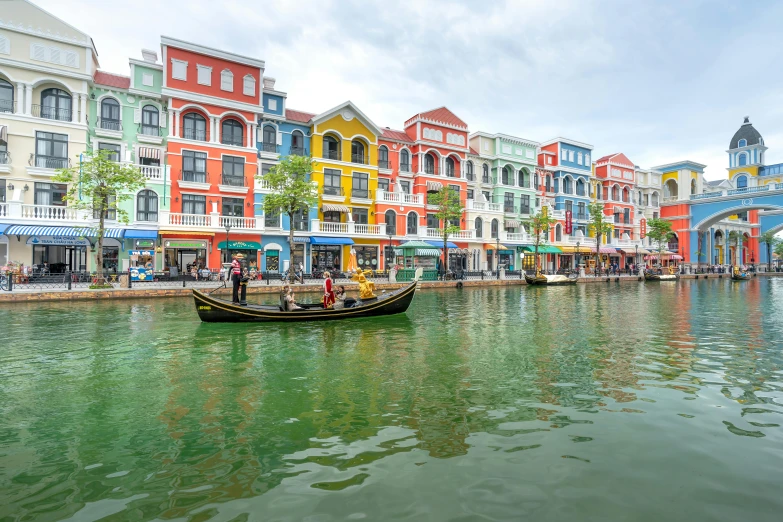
(213, 310)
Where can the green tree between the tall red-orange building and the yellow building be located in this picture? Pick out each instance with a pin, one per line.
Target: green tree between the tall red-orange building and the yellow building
(291, 191)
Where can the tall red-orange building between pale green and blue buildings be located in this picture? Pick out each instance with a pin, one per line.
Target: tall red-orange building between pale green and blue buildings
(214, 102)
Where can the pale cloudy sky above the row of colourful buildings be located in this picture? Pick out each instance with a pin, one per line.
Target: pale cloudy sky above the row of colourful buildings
(661, 81)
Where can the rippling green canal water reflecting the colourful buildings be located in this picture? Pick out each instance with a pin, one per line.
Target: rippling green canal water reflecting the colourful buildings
(642, 402)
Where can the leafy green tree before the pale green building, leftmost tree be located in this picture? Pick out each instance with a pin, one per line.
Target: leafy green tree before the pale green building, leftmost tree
(98, 184)
